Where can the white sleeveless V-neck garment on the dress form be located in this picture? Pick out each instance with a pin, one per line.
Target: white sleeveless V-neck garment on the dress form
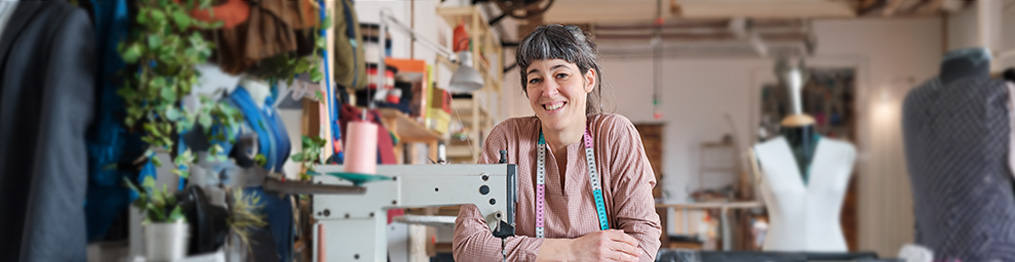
(804, 217)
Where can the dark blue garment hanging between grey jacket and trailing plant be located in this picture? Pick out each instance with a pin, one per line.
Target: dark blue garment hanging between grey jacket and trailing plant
(108, 139)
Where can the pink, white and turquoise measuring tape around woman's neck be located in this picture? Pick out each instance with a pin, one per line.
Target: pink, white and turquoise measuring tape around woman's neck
(597, 191)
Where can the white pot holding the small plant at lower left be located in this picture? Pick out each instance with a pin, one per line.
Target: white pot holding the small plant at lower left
(166, 241)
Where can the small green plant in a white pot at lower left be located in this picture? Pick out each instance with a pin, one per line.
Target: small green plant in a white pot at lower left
(165, 227)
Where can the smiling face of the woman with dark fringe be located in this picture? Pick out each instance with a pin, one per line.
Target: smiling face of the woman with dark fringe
(558, 93)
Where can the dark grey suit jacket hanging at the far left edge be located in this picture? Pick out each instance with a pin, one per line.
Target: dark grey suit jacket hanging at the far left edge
(47, 92)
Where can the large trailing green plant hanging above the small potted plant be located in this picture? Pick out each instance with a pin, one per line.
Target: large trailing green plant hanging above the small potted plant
(165, 45)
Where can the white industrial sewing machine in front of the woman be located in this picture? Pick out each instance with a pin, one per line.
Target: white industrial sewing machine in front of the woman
(352, 228)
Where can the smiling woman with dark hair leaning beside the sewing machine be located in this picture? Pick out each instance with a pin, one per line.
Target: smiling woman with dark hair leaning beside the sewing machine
(603, 212)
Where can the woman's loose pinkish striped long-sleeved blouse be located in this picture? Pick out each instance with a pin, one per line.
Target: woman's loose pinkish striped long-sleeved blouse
(627, 177)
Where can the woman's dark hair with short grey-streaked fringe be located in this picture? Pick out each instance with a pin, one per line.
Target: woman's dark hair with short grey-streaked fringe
(569, 43)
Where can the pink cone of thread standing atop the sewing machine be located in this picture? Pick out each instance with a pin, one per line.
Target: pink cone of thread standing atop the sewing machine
(362, 148)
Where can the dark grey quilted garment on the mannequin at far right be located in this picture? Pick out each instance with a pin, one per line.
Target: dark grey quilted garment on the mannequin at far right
(957, 139)
